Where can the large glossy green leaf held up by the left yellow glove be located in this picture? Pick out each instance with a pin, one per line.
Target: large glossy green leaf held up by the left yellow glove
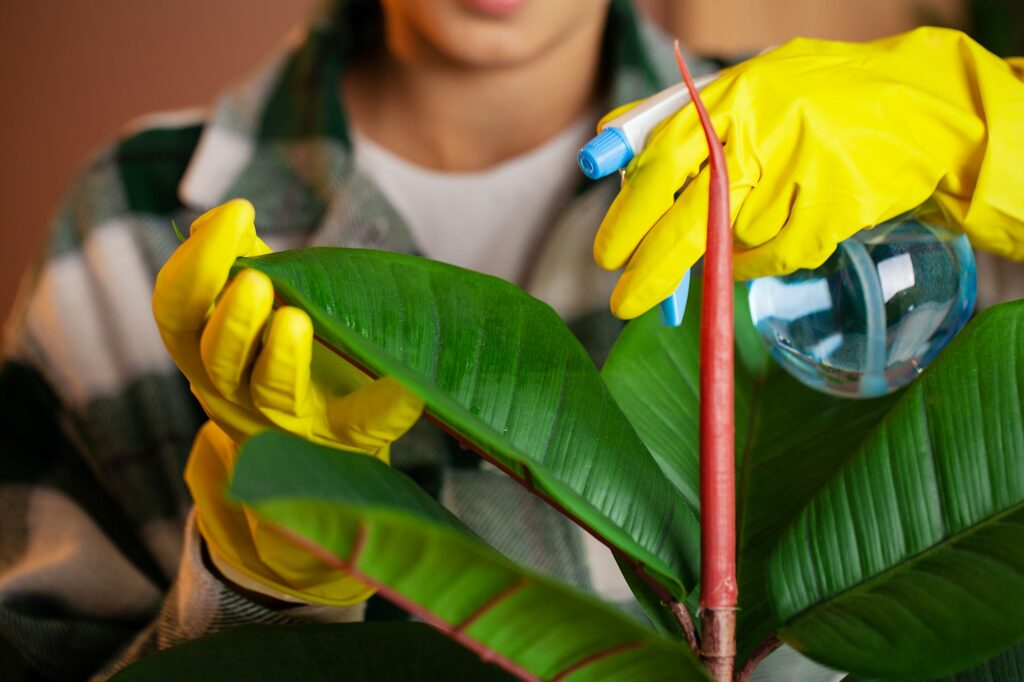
(501, 371)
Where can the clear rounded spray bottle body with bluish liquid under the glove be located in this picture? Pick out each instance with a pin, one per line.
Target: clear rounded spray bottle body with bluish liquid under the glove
(871, 319)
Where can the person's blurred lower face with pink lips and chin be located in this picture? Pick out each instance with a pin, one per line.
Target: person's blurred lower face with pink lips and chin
(487, 34)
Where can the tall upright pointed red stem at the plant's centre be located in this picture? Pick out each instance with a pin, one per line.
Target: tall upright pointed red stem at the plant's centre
(718, 486)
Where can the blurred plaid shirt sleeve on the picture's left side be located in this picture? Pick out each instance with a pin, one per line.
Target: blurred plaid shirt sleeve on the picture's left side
(100, 562)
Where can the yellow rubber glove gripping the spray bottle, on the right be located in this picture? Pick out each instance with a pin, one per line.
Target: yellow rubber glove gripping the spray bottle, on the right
(824, 140)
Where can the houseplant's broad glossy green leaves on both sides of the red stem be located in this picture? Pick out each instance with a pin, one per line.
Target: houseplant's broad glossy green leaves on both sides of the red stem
(881, 537)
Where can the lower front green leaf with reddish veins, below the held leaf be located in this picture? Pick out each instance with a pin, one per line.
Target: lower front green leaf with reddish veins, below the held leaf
(360, 516)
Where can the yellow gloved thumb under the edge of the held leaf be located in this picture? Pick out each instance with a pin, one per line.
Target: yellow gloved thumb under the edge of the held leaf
(373, 416)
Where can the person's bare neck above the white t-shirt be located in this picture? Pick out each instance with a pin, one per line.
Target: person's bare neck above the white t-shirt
(454, 117)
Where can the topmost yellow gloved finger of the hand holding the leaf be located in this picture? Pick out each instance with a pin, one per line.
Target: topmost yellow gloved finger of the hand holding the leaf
(190, 282)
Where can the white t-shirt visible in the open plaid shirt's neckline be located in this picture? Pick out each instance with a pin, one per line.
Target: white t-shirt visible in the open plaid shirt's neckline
(490, 221)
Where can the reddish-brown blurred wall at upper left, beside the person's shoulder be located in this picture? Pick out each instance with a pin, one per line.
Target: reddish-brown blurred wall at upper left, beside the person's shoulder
(73, 72)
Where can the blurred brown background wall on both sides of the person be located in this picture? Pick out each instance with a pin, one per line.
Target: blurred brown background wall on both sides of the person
(72, 73)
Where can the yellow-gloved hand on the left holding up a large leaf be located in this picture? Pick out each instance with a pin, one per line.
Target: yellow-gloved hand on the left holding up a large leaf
(251, 370)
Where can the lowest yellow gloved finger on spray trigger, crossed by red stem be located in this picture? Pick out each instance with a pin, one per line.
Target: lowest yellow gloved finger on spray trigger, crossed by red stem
(674, 245)
